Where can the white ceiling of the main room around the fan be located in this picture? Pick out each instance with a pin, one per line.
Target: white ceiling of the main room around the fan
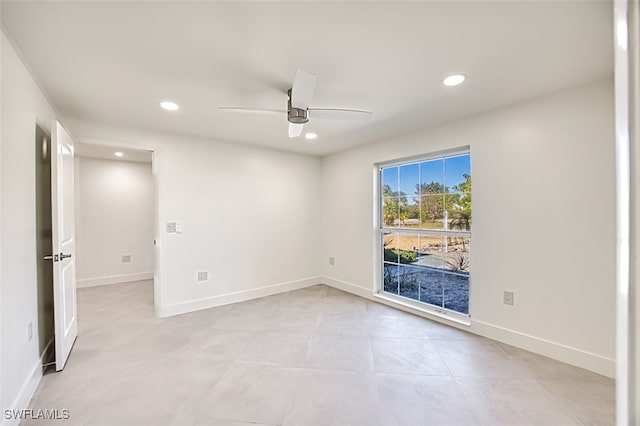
(113, 62)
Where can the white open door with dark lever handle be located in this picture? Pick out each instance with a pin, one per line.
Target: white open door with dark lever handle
(64, 244)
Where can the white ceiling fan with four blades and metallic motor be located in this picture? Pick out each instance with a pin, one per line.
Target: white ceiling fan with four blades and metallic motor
(298, 110)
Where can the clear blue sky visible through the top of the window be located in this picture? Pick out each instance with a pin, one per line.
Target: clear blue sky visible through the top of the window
(448, 171)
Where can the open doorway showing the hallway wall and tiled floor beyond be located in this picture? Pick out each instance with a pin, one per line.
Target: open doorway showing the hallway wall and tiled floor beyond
(115, 235)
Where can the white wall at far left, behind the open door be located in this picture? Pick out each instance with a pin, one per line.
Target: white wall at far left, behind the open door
(23, 105)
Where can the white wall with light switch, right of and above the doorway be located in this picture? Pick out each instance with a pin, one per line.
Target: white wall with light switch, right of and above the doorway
(251, 216)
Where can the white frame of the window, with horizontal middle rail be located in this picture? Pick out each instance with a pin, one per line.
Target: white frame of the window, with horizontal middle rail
(380, 231)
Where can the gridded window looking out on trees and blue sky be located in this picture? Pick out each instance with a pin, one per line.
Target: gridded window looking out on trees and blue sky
(425, 231)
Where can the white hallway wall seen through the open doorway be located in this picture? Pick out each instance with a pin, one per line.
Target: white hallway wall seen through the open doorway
(114, 217)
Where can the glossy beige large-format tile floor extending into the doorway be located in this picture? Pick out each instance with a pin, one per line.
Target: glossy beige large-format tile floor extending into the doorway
(316, 356)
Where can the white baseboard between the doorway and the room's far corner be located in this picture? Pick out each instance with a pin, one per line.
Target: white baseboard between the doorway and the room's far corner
(240, 296)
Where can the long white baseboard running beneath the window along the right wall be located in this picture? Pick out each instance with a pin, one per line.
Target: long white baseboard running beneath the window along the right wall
(567, 354)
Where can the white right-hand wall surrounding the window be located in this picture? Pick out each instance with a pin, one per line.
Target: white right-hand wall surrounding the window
(543, 224)
